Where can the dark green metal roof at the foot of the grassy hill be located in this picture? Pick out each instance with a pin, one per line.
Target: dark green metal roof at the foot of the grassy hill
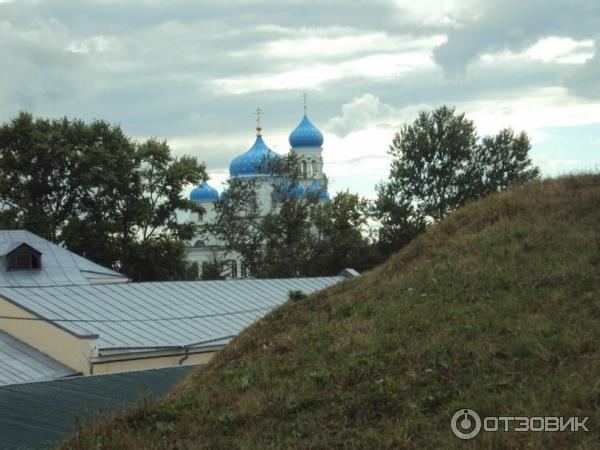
(40, 415)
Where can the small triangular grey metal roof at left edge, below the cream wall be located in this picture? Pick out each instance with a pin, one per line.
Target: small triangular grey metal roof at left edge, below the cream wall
(20, 363)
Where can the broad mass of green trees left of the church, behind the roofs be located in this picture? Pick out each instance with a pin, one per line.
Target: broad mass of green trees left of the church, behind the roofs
(102, 195)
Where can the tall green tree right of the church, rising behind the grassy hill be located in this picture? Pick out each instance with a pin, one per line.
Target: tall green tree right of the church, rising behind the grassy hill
(440, 163)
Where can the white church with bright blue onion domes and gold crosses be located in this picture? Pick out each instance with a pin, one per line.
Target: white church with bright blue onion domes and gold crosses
(306, 142)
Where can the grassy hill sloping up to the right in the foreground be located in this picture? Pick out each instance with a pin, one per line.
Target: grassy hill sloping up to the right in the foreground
(496, 309)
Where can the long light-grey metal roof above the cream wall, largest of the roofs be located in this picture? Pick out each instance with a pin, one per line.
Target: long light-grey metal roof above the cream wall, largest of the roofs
(161, 314)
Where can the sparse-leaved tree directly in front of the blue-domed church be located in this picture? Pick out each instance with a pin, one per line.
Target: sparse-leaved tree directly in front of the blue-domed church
(272, 243)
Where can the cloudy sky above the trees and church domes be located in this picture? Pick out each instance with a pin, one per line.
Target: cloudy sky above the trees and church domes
(193, 72)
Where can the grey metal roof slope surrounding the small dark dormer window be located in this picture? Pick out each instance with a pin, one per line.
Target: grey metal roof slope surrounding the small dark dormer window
(60, 267)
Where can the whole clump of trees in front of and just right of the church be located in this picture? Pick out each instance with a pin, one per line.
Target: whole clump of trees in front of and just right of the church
(300, 236)
